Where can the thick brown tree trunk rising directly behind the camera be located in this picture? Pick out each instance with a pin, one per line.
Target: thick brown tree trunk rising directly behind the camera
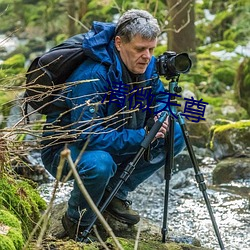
(181, 27)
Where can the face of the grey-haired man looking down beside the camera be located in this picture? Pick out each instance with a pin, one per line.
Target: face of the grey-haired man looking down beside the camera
(137, 53)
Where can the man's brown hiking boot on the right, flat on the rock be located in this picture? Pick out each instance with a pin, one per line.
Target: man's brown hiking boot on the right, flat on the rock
(121, 211)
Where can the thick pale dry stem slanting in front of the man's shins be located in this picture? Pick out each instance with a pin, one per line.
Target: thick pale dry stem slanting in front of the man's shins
(66, 155)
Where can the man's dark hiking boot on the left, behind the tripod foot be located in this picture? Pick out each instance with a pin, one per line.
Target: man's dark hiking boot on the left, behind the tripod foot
(75, 231)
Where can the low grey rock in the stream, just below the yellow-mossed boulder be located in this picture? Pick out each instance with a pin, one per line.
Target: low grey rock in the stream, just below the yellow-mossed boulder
(231, 169)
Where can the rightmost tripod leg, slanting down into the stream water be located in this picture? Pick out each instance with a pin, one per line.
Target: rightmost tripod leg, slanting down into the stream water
(199, 178)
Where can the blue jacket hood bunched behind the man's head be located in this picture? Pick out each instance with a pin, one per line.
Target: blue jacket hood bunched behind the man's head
(98, 43)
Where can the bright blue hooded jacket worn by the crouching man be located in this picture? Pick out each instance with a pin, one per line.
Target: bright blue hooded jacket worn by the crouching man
(89, 118)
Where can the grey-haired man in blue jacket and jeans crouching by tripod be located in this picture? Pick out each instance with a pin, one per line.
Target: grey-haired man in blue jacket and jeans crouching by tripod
(105, 116)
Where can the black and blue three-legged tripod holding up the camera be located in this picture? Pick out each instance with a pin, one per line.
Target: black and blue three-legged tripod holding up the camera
(173, 88)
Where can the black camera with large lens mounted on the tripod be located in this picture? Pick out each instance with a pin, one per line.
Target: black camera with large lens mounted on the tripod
(171, 65)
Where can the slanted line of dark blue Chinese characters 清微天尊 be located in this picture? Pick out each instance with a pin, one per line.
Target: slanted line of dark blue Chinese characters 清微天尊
(143, 99)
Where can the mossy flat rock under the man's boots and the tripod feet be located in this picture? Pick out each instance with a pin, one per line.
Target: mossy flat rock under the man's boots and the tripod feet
(149, 238)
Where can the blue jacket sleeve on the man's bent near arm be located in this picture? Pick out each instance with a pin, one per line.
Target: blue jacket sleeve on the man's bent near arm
(88, 115)
